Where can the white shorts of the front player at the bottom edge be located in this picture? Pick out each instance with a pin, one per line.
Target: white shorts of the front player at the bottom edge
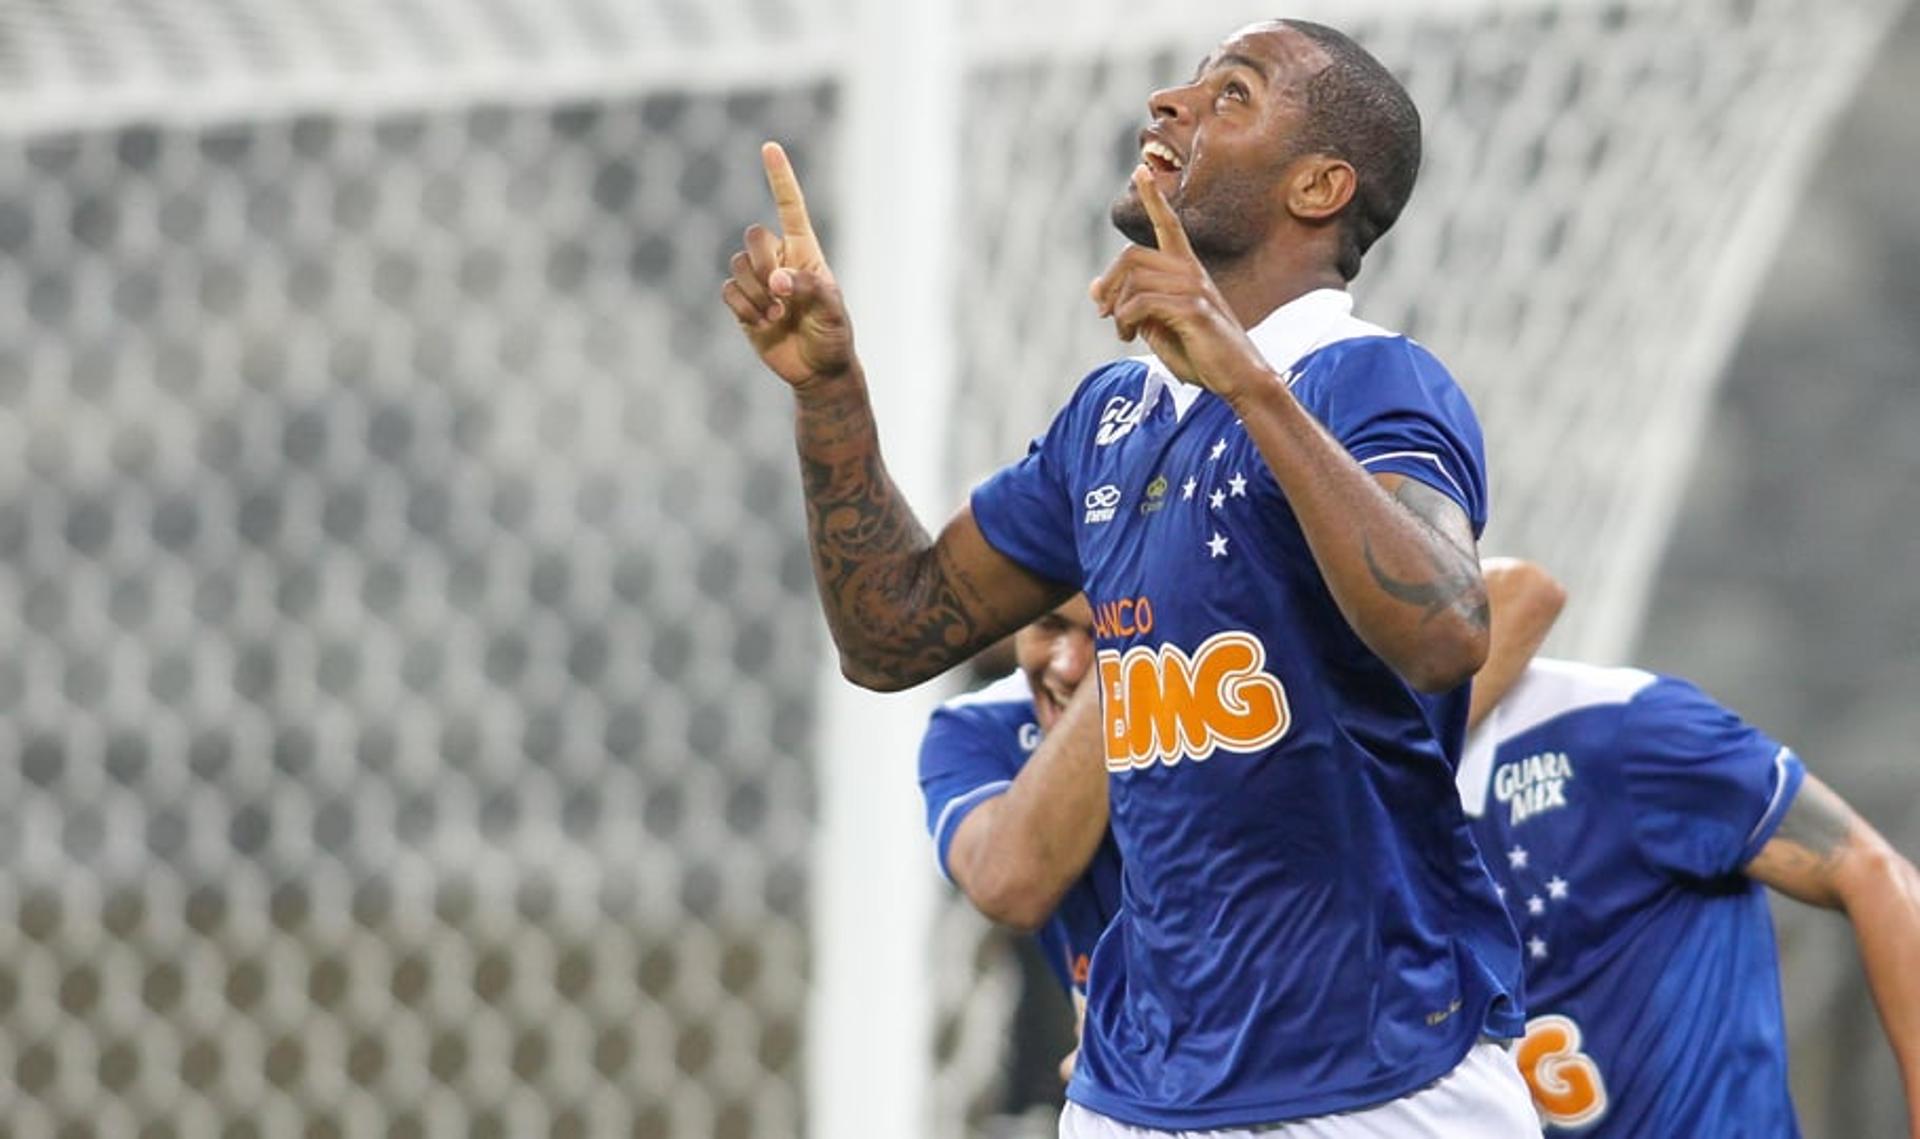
(1483, 1098)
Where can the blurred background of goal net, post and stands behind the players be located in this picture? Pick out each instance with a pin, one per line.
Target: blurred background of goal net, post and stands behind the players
(414, 714)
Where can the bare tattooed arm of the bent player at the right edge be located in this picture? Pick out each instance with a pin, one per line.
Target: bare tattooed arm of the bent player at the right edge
(1831, 858)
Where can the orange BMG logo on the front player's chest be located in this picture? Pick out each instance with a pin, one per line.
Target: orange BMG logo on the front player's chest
(1164, 706)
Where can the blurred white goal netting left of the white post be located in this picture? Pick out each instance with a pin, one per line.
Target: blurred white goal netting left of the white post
(408, 689)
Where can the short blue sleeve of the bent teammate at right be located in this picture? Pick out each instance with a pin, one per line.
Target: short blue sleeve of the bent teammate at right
(1706, 787)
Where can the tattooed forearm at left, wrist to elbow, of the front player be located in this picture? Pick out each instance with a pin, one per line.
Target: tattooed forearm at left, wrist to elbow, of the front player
(898, 610)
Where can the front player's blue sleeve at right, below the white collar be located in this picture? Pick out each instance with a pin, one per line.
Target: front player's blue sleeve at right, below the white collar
(1399, 412)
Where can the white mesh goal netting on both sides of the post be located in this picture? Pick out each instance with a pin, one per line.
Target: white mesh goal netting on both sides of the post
(408, 714)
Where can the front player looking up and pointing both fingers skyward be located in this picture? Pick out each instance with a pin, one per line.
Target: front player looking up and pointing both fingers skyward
(1276, 521)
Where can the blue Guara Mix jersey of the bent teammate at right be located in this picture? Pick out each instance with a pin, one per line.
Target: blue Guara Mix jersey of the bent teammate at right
(1618, 810)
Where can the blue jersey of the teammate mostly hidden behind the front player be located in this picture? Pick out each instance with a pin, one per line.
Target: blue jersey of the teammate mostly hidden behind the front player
(972, 752)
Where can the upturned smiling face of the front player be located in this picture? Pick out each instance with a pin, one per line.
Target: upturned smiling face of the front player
(1222, 143)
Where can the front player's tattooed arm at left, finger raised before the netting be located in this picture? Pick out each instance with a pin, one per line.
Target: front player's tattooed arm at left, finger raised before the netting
(901, 608)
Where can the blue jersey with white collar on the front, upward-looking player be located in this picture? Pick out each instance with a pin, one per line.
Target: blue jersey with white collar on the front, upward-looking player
(1305, 921)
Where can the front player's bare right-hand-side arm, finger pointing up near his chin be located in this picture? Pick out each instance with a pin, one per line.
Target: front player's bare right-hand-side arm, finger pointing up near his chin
(1399, 556)
